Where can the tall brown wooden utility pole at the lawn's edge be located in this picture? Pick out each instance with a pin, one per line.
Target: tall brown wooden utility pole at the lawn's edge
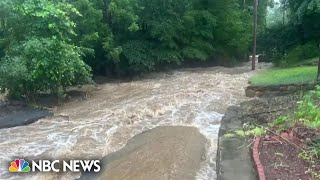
(255, 22)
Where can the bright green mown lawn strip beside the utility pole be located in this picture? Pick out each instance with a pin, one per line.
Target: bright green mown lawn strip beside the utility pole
(296, 75)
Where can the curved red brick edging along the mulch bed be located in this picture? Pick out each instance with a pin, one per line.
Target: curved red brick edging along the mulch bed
(256, 159)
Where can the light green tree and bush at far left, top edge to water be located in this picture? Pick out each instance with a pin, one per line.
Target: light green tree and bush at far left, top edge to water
(43, 54)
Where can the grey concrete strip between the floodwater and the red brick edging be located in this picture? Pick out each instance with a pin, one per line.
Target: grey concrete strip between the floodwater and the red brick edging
(234, 157)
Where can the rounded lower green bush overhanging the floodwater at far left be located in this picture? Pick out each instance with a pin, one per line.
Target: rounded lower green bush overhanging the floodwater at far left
(44, 65)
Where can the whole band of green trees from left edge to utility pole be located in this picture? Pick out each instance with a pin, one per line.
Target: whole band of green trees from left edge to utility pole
(48, 45)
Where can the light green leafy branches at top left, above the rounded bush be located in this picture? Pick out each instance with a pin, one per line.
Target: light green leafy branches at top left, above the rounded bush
(46, 18)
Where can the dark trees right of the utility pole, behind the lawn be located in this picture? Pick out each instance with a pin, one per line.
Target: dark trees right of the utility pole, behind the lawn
(292, 34)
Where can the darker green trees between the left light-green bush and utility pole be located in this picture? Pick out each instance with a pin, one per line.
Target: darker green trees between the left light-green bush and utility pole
(141, 35)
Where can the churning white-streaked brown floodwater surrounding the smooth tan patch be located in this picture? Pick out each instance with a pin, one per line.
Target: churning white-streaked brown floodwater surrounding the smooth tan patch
(104, 122)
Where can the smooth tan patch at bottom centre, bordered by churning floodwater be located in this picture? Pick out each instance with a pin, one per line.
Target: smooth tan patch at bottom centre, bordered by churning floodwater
(160, 153)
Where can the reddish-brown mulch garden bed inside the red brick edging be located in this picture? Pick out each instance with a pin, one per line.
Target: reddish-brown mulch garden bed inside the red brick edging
(282, 160)
